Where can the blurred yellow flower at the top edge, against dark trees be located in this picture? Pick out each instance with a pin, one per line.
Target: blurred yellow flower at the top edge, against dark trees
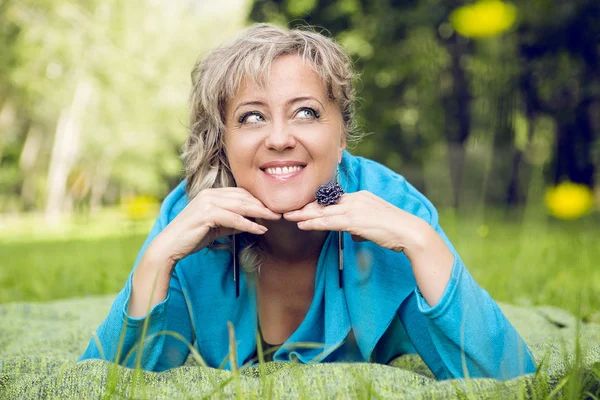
(483, 19)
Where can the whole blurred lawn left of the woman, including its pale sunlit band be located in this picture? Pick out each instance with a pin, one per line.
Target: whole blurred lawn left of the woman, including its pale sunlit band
(80, 256)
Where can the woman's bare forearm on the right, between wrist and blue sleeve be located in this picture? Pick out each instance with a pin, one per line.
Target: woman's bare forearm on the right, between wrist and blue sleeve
(432, 262)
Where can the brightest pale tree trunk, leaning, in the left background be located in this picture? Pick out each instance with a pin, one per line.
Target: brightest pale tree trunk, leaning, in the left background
(64, 151)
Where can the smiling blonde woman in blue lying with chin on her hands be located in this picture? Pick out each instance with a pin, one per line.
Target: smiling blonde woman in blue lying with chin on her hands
(368, 274)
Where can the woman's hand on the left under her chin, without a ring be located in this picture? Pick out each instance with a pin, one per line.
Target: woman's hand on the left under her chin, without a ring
(212, 214)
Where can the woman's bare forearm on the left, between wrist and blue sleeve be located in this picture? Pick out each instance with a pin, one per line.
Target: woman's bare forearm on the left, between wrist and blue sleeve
(150, 282)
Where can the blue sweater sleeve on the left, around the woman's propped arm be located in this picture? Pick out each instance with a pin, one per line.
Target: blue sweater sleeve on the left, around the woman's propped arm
(118, 337)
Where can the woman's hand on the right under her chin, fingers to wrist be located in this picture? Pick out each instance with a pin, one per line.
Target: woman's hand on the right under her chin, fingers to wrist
(366, 217)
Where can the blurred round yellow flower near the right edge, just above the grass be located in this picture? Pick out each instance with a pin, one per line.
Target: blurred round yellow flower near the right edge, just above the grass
(569, 200)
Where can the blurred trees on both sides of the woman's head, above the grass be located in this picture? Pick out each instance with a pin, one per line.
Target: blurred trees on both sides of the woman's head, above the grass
(93, 93)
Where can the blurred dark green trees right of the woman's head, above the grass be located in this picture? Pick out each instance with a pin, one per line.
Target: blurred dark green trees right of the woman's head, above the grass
(491, 102)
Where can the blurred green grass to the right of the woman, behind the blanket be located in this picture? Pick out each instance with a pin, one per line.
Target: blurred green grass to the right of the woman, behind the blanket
(535, 262)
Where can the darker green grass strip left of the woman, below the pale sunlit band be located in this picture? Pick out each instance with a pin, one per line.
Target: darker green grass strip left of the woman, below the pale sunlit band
(46, 270)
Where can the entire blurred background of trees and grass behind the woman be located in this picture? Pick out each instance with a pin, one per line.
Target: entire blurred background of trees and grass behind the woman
(491, 108)
